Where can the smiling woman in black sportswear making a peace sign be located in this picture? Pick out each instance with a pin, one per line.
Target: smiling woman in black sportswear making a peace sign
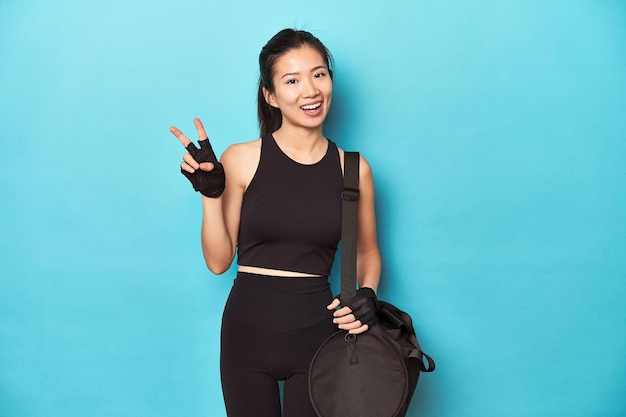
(276, 203)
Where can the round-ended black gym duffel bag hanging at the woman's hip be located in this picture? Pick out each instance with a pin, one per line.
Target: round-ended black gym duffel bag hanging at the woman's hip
(373, 374)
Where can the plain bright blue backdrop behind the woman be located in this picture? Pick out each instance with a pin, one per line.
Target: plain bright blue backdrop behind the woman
(497, 136)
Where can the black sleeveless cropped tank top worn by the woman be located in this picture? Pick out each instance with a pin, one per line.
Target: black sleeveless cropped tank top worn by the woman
(291, 212)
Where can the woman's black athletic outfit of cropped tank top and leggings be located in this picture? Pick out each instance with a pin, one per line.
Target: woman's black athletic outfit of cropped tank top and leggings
(272, 326)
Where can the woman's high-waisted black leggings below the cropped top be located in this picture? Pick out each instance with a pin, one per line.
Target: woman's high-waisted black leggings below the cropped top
(271, 328)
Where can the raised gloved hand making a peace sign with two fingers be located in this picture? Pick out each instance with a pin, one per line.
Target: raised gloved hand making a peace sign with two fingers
(201, 166)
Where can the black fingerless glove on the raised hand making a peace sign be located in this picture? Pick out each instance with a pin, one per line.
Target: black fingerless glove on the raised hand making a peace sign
(208, 183)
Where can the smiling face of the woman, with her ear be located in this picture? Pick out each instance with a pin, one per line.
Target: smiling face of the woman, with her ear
(302, 88)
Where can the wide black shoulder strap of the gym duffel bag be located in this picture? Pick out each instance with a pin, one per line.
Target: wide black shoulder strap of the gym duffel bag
(349, 224)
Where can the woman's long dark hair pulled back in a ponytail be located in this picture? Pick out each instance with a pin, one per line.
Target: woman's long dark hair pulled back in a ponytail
(270, 117)
